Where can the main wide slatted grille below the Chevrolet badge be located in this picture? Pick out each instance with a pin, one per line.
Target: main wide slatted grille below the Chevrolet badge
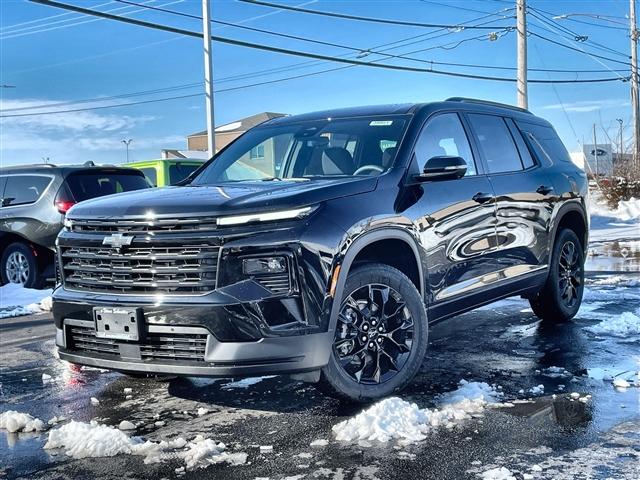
(178, 269)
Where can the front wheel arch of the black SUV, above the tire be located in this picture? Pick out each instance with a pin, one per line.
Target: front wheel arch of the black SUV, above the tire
(374, 242)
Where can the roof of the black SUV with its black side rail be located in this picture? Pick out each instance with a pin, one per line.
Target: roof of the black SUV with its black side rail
(456, 103)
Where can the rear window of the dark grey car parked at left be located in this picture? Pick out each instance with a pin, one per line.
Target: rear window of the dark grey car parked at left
(90, 184)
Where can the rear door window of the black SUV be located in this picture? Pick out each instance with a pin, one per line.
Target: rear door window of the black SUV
(495, 143)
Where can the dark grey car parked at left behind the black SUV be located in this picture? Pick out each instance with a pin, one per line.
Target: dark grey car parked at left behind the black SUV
(35, 199)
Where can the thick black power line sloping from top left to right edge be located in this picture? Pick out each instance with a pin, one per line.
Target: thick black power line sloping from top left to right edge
(301, 53)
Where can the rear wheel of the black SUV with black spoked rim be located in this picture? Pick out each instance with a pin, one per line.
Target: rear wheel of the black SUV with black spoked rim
(560, 298)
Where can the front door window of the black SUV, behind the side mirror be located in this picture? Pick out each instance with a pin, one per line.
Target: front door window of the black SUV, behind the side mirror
(444, 135)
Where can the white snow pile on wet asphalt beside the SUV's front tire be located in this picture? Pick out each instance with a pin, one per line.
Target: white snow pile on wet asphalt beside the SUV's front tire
(394, 418)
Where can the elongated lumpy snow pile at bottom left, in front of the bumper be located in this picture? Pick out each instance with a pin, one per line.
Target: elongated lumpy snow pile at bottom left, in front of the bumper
(84, 440)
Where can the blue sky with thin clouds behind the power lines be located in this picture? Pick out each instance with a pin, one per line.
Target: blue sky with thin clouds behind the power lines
(50, 58)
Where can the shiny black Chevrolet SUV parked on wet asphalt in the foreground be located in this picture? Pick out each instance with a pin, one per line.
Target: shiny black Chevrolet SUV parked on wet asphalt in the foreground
(323, 245)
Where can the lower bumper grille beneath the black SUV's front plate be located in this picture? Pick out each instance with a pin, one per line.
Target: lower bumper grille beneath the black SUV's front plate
(154, 346)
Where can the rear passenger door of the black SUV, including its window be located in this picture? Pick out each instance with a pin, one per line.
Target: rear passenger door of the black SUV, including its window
(524, 194)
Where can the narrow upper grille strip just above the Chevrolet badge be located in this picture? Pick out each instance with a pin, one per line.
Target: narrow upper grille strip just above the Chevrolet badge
(143, 225)
